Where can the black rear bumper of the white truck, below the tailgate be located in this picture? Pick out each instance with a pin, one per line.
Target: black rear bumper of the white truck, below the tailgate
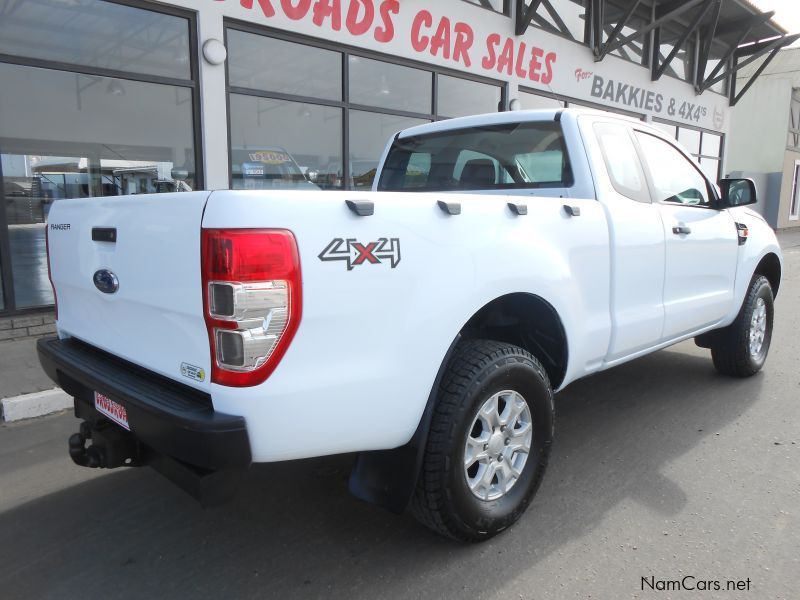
(168, 417)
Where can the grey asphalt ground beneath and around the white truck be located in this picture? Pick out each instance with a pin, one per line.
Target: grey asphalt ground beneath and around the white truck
(661, 469)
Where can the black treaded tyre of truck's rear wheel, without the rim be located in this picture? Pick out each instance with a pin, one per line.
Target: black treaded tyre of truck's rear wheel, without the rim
(443, 500)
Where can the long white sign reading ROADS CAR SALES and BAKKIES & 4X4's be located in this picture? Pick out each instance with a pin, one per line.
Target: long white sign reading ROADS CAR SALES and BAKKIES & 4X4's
(481, 42)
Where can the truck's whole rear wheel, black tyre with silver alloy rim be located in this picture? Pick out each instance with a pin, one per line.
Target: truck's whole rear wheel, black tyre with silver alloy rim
(488, 444)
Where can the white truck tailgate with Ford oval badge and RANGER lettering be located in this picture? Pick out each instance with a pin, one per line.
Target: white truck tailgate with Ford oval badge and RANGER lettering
(148, 247)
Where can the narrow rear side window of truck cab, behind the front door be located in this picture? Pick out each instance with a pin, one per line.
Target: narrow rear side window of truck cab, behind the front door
(622, 161)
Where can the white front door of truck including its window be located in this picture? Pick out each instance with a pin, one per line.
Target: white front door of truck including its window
(701, 241)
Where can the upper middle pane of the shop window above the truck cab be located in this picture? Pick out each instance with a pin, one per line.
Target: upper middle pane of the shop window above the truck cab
(382, 84)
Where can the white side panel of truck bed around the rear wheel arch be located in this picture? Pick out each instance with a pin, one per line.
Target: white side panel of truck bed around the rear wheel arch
(359, 371)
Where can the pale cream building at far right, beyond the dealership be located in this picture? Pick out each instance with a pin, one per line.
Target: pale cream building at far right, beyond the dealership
(765, 137)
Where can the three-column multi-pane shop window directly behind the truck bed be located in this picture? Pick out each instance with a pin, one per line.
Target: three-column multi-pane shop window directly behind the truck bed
(290, 103)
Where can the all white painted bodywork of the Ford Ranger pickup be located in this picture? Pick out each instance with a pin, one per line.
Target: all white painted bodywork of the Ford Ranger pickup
(371, 340)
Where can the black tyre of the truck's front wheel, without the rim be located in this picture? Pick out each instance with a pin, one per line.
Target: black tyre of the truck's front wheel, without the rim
(731, 350)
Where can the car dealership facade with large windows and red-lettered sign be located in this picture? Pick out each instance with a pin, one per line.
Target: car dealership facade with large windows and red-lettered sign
(111, 97)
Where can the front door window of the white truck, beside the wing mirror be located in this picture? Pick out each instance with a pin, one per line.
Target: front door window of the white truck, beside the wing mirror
(675, 179)
